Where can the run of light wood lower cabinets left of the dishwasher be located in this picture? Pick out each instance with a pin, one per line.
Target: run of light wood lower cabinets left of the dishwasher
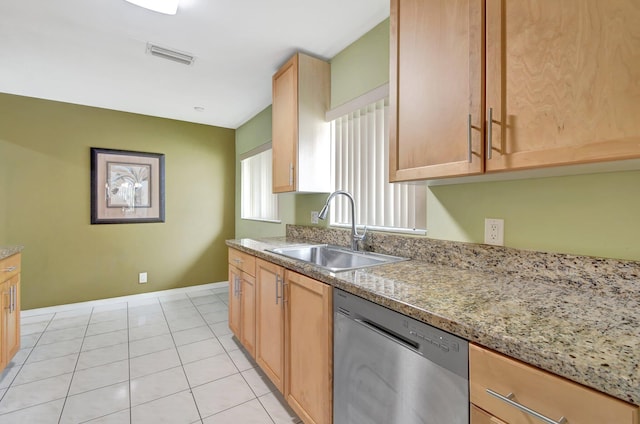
(293, 322)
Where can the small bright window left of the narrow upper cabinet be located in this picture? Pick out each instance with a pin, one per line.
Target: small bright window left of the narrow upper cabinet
(257, 200)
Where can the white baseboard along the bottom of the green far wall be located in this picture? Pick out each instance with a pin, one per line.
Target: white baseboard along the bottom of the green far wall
(122, 299)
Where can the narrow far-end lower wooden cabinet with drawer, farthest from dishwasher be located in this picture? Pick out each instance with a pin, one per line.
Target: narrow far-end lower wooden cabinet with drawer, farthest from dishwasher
(242, 311)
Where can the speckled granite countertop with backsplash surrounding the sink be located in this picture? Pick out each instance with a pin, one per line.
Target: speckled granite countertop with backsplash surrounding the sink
(578, 317)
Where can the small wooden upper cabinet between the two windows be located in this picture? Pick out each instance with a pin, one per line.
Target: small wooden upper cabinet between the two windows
(300, 133)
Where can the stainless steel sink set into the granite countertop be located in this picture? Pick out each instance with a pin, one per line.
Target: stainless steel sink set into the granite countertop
(335, 258)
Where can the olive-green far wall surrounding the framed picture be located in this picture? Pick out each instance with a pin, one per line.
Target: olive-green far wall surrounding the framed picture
(45, 157)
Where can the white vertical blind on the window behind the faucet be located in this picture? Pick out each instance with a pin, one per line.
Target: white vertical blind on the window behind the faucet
(360, 145)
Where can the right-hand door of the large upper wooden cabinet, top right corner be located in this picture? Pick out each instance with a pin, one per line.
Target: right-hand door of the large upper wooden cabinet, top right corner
(562, 82)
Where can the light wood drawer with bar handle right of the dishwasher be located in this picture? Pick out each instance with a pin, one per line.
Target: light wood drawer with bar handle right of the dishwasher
(543, 392)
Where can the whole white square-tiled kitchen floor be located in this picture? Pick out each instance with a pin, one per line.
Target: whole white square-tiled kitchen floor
(169, 358)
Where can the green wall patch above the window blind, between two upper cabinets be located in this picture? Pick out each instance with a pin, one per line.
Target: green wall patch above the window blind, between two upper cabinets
(362, 66)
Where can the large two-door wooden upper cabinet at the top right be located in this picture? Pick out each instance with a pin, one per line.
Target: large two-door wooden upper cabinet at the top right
(557, 81)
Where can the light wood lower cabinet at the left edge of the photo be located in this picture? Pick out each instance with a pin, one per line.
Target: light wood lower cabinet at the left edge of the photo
(10, 303)
